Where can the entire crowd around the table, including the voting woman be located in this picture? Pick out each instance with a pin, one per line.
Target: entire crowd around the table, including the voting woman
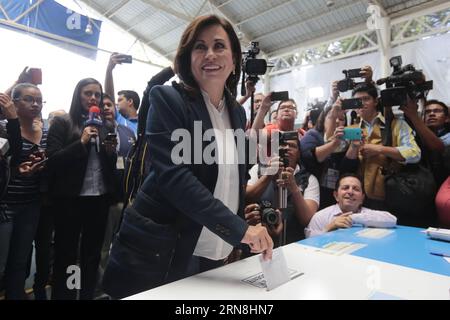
(102, 194)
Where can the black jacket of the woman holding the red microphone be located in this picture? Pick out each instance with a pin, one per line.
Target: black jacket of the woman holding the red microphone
(68, 159)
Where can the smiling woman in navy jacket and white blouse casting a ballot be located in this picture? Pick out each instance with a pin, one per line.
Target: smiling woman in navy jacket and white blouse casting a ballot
(184, 206)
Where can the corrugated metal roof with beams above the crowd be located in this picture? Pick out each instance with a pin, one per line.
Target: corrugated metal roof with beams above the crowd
(280, 26)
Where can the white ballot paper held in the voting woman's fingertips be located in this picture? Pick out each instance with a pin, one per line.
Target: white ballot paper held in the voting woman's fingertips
(275, 270)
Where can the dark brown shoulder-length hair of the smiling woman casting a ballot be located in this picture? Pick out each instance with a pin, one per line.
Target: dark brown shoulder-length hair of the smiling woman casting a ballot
(182, 60)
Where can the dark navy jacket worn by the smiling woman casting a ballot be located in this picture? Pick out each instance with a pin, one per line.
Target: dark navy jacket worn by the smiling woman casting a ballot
(161, 227)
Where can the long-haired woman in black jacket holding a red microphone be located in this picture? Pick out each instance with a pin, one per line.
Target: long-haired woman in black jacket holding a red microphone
(82, 182)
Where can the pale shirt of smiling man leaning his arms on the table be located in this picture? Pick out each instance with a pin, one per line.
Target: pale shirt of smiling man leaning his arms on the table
(366, 217)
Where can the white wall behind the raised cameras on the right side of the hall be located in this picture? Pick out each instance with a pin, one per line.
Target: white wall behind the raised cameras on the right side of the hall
(432, 55)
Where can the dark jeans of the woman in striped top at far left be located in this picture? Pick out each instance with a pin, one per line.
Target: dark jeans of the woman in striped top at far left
(24, 220)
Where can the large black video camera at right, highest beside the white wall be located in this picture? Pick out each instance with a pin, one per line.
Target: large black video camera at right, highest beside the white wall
(402, 82)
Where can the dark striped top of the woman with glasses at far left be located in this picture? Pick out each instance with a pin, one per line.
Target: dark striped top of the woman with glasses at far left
(21, 189)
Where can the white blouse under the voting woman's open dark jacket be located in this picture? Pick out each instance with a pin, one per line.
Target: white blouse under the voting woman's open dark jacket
(210, 245)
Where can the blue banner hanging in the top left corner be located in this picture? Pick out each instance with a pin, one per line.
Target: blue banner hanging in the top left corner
(52, 19)
